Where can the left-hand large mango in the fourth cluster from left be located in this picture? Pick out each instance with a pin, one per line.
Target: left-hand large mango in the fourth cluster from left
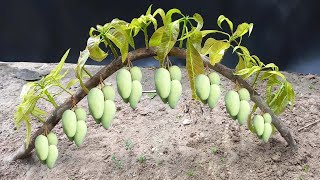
(124, 83)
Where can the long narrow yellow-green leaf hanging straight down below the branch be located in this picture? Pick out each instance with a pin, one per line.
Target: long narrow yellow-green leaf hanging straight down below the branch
(194, 65)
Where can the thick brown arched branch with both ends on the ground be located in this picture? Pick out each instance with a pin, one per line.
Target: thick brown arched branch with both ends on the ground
(116, 64)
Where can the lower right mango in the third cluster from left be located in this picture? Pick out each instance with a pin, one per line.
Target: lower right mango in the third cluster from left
(108, 114)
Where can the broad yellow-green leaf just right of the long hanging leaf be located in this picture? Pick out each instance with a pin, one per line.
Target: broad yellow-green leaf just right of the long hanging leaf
(215, 49)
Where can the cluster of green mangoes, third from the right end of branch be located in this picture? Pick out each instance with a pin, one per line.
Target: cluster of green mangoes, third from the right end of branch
(208, 89)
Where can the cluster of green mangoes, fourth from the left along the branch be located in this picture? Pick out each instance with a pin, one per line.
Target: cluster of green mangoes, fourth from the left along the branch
(129, 85)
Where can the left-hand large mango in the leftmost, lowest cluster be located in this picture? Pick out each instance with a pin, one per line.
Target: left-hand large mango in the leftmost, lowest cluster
(42, 147)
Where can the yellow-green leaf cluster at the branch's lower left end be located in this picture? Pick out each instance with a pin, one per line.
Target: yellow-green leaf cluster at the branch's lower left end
(32, 92)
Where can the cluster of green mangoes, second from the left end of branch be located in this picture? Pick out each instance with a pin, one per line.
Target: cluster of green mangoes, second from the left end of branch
(74, 125)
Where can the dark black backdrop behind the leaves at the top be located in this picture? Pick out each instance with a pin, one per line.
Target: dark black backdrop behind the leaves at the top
(285, 32)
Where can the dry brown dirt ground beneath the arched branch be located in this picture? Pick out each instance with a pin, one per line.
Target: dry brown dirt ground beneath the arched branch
(152, 142)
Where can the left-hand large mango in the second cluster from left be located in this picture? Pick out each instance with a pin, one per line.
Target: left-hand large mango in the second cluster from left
(69, 123)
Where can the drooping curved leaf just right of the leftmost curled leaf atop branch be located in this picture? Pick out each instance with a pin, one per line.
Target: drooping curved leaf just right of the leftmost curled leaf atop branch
(120, 40)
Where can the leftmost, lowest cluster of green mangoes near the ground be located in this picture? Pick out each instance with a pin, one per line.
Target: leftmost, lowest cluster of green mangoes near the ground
(46, 149)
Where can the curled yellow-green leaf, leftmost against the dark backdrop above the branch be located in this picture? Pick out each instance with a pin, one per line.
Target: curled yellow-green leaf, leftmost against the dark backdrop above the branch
(96, 53)
